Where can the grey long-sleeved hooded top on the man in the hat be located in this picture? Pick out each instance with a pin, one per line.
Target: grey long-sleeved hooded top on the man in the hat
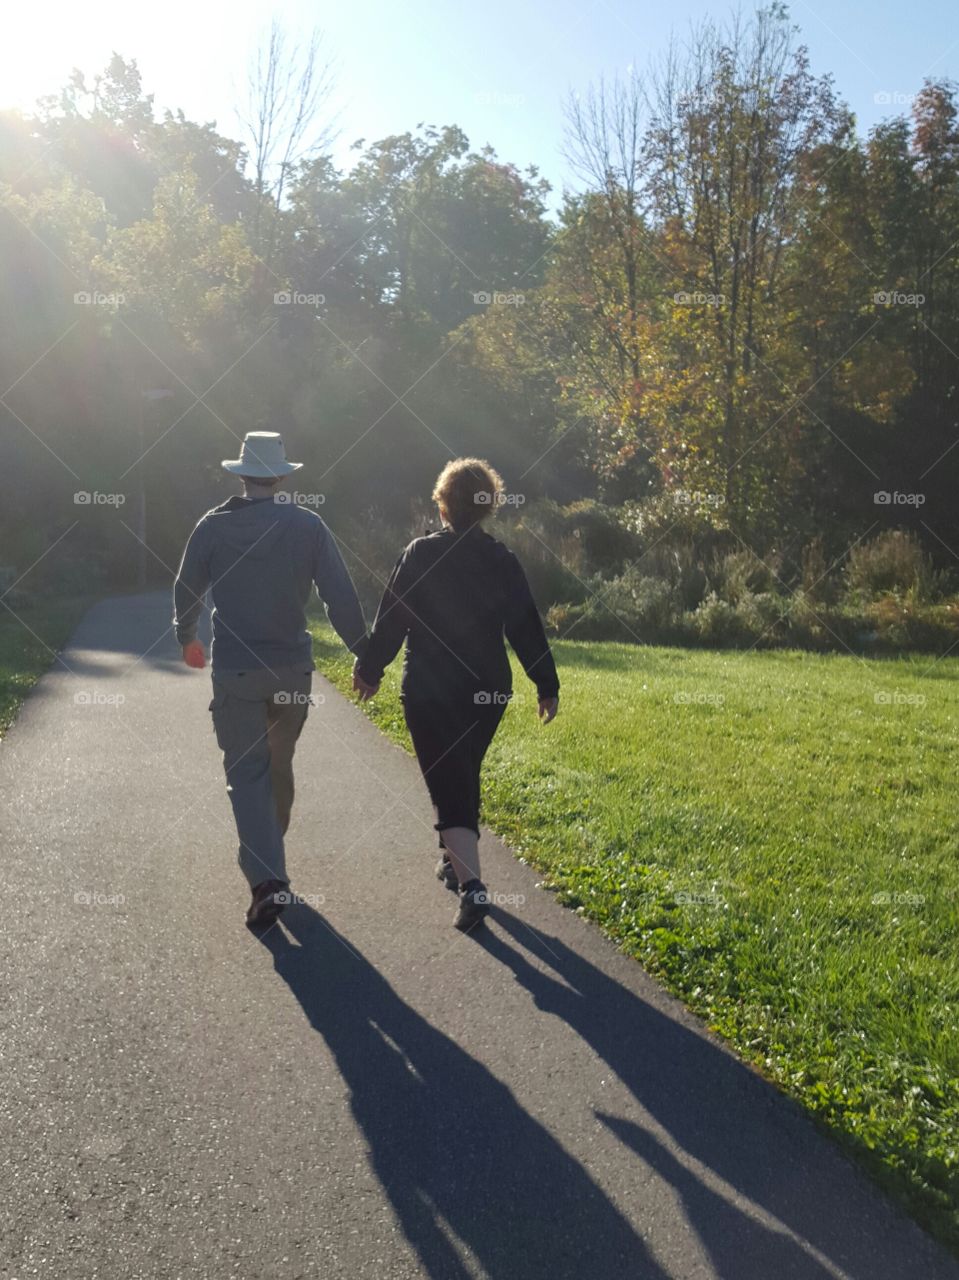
(262, 560)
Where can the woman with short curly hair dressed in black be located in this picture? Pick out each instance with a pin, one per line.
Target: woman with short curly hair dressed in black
(453, 597)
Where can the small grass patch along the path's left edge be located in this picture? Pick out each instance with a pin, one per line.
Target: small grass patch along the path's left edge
(29, 643)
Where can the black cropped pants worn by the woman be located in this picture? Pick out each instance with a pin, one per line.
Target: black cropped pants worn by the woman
(451, 740)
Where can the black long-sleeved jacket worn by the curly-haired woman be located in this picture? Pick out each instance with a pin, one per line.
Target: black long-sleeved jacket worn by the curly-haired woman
(454, 597)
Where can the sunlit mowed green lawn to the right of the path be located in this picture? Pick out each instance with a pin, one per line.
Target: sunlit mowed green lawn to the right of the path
(777, 836)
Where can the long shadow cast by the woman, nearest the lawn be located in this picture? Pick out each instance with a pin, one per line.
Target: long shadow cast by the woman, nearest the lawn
(716, 1110)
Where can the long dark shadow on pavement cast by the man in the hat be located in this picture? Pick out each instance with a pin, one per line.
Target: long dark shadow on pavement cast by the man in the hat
(447, 1141)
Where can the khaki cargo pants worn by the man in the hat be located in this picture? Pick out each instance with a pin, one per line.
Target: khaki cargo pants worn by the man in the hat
(258, 717)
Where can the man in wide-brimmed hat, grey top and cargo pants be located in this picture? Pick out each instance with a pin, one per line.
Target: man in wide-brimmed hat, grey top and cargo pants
(262, 555)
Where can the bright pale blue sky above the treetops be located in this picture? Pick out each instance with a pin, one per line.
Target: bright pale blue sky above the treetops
(500, 70)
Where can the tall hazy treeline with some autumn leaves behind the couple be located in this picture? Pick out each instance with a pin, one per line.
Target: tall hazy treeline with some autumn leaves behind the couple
(738, 337)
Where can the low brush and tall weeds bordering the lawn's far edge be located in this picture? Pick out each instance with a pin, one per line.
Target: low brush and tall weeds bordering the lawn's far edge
(688, 591)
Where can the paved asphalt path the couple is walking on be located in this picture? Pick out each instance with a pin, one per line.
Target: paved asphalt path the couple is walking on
(363, 1092)
